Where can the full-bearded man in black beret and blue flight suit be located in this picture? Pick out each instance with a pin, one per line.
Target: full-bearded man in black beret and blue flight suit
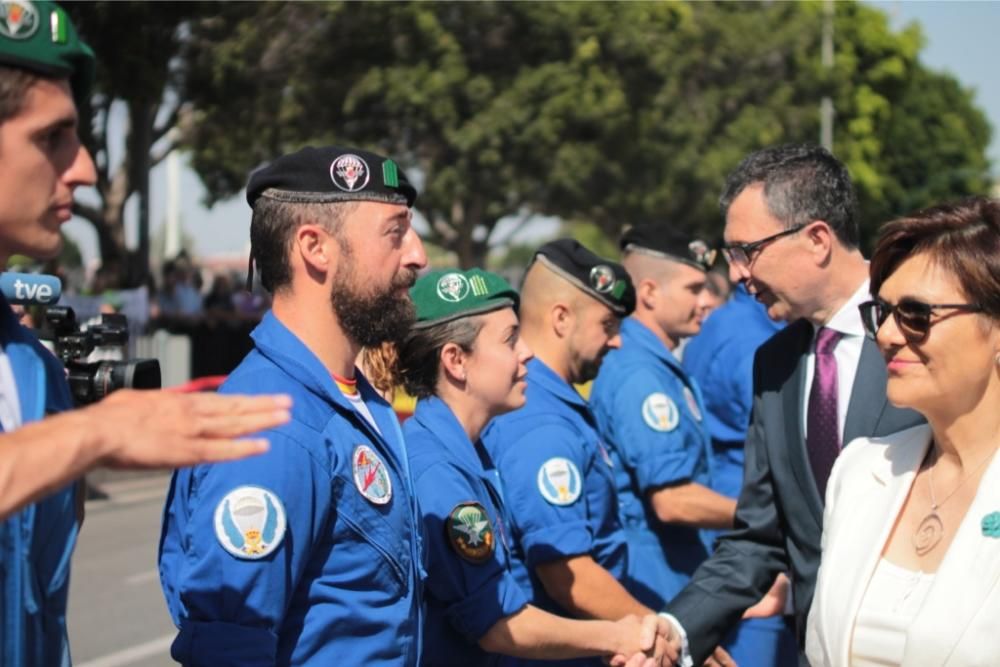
(310, 554)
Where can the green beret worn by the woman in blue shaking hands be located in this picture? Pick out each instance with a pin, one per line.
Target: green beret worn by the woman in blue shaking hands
(442, 296)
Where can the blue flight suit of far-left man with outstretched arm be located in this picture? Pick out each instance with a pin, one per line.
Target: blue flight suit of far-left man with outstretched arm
(37, 542)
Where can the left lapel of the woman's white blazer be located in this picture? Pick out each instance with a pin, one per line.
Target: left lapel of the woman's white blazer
(873, 501)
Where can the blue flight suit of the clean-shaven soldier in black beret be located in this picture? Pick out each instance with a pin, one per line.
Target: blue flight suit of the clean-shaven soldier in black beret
(650, 414)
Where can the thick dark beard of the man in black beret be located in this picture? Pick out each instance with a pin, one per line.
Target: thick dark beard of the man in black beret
(373, 316)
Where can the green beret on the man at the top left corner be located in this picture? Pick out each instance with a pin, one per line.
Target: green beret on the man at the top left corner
(39, 37)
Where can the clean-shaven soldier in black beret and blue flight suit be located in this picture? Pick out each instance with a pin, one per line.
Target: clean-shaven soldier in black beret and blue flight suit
(651, 414)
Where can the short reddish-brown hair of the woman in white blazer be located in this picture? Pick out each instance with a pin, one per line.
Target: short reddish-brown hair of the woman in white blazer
(963, 238)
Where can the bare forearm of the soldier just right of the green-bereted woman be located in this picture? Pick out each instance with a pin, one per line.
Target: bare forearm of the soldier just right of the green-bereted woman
(586, 590)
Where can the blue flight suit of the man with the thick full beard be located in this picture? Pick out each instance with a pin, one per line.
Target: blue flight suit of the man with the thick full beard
(341, 584)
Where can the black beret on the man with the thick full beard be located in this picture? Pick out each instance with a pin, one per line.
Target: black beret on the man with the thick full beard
(331, 174)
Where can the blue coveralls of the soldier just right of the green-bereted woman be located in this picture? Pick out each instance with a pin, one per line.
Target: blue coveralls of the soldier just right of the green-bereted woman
(558, 483)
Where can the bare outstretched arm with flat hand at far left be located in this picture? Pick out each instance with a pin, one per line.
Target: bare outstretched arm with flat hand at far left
(131, 429)
